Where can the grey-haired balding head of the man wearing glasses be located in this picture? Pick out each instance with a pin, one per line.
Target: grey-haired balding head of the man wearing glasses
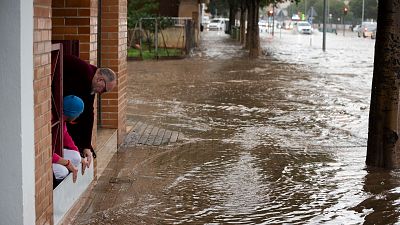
(104, 80)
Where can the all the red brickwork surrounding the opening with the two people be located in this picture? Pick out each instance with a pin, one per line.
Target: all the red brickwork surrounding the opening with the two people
(73, 20)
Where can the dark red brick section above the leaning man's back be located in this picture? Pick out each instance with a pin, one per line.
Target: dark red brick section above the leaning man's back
(77, 20)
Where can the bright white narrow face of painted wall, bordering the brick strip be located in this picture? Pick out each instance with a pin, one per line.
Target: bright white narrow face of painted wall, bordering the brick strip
(27, 111)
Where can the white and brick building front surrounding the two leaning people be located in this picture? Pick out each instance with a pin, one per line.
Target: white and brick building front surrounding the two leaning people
(29, 28)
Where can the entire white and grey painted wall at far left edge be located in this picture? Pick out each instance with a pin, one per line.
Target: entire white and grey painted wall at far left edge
(17, 172)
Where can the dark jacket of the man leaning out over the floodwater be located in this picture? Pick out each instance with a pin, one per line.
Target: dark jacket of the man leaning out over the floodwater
(77, 80)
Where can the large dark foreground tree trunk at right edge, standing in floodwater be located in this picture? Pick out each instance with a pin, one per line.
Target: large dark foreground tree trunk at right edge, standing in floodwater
(384, 121)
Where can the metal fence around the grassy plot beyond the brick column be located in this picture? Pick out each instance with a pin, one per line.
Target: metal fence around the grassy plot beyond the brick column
(162, 36)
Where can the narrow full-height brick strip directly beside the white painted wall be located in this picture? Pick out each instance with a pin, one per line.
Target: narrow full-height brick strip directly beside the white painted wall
(42, 104)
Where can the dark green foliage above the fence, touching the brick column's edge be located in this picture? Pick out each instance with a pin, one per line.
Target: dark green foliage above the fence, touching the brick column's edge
(140, 9)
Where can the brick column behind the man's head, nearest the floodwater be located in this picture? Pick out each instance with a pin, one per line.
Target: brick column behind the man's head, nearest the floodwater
(113, 55)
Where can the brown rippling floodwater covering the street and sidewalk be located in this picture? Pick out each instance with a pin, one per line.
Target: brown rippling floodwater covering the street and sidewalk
(276, 140)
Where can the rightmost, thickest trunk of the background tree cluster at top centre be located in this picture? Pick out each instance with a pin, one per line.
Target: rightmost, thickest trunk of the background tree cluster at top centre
(254, 46)
